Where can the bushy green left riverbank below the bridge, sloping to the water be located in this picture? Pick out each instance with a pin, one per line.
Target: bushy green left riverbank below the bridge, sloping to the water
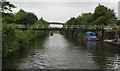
(16, 40)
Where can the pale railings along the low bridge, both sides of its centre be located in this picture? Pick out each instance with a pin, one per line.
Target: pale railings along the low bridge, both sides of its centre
(64, 26)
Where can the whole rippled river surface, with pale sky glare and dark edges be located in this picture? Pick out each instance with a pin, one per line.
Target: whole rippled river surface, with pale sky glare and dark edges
(60, 52)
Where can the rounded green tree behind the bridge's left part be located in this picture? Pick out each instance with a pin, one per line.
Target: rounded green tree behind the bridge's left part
(25, 18)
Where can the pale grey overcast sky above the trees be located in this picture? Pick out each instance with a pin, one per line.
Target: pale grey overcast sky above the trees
(61, 10)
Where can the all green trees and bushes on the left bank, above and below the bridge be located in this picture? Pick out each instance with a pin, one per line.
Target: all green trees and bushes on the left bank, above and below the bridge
(14, 40)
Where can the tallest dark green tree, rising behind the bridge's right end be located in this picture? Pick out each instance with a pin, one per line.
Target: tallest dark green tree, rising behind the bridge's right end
(104, 15)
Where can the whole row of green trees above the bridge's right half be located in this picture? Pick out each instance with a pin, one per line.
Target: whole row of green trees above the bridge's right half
(102, 16)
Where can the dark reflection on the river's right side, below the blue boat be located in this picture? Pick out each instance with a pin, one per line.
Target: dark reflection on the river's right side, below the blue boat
(104, 57)
